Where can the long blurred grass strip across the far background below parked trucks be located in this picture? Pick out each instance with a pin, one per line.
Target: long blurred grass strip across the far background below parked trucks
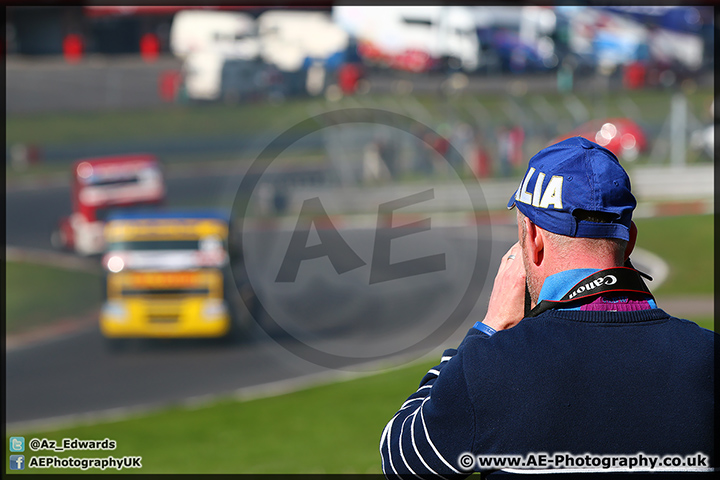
(187, 121)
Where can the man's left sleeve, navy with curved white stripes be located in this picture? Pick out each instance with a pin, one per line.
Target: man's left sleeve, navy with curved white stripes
(432, 428)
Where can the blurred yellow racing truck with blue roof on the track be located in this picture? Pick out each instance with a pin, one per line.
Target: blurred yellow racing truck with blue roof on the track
(167, 276)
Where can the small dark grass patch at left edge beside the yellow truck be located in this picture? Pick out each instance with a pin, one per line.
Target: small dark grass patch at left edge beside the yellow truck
(38, 295)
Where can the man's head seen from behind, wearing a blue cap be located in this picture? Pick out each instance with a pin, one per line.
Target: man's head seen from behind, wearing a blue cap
(574, 211)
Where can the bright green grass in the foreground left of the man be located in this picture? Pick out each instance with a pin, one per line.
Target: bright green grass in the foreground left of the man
(331, 428)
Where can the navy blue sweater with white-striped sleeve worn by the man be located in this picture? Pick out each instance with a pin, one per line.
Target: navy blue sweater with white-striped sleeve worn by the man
(596, 382)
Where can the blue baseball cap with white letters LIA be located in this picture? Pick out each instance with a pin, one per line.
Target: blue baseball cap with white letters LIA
(576, 175)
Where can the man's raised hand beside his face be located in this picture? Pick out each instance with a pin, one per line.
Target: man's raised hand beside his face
(507, 300)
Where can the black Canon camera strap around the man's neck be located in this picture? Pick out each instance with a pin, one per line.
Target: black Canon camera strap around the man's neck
(611, 280)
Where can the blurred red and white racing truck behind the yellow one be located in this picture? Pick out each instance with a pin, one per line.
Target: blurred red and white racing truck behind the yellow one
(100, 185)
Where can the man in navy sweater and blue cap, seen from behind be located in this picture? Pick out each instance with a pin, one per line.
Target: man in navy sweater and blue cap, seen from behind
(596, 368)
